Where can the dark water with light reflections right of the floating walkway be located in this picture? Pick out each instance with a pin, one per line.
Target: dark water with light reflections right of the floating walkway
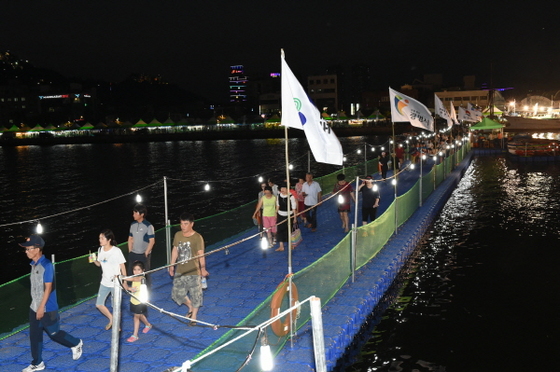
(481, 292)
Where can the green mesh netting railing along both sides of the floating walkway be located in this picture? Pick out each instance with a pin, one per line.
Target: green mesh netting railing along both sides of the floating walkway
(78, 280)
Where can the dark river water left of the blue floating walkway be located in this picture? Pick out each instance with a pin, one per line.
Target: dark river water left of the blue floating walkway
(47, 182)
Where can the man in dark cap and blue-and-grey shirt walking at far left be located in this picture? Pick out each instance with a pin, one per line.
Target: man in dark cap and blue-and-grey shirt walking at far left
(43, 312)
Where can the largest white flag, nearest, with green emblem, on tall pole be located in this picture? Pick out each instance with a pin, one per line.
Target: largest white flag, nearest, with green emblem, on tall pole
(298, 112)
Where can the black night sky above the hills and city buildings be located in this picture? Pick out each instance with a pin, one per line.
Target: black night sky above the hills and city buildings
(193, 43)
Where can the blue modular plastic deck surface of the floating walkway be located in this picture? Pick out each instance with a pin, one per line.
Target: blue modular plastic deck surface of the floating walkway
(239, 282)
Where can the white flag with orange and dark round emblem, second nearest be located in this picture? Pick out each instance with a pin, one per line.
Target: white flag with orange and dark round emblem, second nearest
(404, 108)
